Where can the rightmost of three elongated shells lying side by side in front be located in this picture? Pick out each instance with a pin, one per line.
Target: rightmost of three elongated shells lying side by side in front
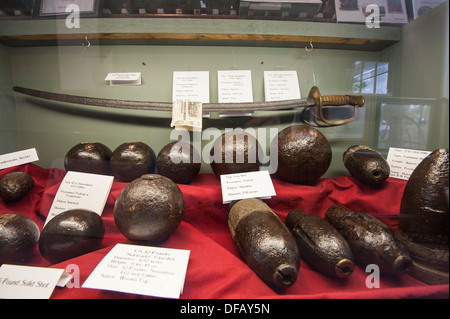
(371, 241)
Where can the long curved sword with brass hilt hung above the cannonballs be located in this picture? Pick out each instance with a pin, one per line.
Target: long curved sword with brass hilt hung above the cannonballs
(315, 99)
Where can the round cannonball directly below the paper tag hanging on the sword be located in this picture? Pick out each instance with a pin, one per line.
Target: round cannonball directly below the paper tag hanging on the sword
(179, 161)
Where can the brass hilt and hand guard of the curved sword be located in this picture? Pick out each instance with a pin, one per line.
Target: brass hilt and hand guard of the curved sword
(356, 101)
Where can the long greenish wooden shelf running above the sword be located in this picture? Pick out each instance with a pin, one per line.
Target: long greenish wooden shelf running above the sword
(122, 31)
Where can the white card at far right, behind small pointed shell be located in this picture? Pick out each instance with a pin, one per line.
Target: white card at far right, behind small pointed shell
(403, 161)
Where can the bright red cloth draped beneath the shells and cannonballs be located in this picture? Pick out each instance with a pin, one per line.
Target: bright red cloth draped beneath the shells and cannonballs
(215, 269)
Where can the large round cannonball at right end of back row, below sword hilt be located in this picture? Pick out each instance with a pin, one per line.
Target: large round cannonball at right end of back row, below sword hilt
(304, 154)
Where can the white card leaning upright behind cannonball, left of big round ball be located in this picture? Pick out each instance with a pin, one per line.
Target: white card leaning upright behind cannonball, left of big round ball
(81, 191)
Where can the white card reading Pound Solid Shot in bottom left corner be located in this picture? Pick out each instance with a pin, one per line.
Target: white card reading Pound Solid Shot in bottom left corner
(23, 282)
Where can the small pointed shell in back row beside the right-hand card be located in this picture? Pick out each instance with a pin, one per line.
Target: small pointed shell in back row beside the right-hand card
(366, 165)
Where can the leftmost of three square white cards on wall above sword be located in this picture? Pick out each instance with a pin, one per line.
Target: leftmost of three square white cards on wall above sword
(191, 86)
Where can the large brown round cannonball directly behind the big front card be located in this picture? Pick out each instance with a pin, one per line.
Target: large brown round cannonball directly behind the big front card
(149, 209)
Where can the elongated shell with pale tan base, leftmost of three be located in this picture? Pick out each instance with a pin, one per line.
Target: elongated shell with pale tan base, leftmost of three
(264, 242)
